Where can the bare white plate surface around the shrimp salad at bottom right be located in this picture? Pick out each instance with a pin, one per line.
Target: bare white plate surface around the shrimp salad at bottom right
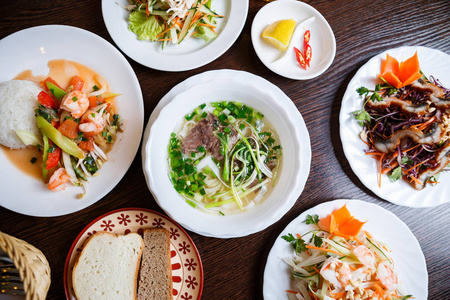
(382, 224)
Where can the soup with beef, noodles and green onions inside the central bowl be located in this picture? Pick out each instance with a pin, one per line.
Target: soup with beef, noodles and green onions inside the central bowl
(224, 157)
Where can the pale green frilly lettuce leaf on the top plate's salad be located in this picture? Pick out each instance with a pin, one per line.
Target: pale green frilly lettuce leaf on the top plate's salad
(145, 28)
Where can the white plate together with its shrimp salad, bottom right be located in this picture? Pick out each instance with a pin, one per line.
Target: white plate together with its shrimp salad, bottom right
(379, 226)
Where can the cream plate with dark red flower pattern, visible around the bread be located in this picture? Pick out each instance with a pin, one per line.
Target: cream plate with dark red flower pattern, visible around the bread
(187, 268)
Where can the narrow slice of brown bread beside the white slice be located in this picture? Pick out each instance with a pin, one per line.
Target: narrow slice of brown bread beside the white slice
(155, 277)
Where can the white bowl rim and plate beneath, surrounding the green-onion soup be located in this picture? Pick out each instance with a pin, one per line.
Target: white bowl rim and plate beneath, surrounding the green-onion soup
(280, 111)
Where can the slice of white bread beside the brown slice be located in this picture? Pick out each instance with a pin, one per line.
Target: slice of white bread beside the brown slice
(108, 267)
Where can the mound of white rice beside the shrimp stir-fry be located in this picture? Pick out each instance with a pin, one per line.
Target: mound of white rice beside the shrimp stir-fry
(18, 100)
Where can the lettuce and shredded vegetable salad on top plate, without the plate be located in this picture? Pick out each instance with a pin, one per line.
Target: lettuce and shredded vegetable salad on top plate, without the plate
(172, 21)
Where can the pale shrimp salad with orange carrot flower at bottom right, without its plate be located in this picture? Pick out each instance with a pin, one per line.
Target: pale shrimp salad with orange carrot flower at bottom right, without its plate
(336, 259)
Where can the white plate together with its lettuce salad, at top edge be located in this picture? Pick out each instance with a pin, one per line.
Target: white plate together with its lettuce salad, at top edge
(208, 30)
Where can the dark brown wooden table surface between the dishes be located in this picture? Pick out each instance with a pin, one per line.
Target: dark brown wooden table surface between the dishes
(233, 268)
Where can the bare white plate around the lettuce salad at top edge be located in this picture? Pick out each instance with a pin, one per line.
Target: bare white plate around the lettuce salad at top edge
(191, 53)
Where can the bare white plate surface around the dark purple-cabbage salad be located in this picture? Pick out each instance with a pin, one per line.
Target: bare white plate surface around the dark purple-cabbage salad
(432, 62)
